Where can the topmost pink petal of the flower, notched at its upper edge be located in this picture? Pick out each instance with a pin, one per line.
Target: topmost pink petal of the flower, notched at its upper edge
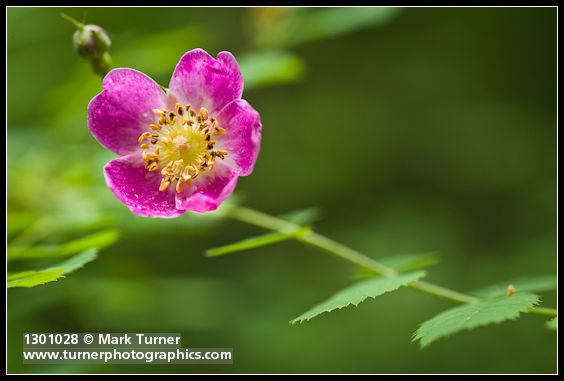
(202, 81)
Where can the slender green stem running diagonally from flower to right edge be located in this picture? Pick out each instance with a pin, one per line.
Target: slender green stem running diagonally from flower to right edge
(268, 222)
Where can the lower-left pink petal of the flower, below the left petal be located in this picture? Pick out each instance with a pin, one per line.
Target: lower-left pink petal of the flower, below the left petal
(138, 188)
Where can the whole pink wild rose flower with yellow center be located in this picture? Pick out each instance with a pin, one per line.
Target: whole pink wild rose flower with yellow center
(180, 150)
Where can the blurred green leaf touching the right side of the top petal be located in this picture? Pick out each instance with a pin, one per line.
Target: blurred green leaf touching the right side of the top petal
(272, 67)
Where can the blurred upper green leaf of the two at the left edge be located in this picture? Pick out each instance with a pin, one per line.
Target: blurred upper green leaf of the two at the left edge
(97, 240)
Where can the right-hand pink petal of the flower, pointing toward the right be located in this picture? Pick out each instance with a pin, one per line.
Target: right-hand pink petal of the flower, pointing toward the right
(243, 134)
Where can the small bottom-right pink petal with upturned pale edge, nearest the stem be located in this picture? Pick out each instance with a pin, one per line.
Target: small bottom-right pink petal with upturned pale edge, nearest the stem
(207, 191)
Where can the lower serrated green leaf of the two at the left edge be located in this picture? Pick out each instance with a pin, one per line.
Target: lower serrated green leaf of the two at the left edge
(34, 278)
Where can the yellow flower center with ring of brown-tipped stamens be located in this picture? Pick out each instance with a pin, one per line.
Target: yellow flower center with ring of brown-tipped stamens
(182, 142)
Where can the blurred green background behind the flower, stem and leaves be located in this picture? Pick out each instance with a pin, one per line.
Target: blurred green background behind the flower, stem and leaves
(413, 129)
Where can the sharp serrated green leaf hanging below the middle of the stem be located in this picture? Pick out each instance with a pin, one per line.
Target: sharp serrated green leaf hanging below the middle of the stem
(358, 292)
